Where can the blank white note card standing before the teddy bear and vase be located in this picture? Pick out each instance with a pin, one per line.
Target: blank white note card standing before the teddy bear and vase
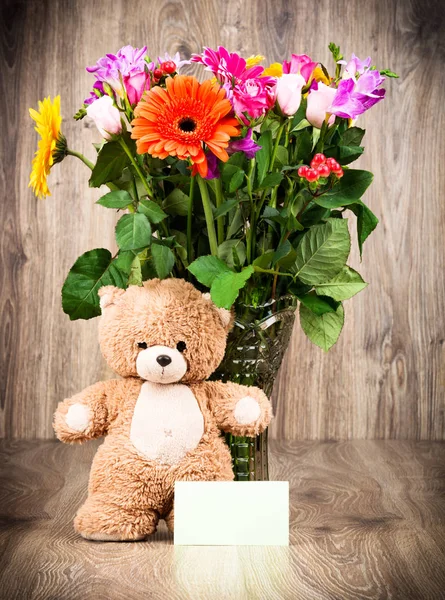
(231, 513)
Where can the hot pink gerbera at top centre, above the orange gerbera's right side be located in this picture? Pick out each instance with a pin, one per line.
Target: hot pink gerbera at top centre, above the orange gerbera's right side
(228, 67)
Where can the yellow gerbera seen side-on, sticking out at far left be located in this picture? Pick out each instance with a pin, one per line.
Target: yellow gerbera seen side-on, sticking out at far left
(51, 145)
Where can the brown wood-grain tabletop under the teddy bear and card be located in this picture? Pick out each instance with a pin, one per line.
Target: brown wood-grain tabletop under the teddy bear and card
(367, 521)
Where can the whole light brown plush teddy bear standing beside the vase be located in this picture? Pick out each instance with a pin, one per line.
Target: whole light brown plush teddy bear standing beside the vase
(162, 419)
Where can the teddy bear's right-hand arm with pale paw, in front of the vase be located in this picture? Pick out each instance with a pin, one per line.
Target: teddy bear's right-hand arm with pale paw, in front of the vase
(239, 409)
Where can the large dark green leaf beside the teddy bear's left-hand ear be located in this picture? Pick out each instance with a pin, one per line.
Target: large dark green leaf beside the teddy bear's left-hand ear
(91, 271)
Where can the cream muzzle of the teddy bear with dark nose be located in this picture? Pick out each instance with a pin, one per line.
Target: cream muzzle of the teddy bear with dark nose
(161, 364)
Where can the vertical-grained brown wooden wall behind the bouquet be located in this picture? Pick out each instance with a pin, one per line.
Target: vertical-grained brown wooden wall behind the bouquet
(385, 378)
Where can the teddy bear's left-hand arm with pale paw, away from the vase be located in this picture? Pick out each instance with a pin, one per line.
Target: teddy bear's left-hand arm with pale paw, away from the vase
(86, 415)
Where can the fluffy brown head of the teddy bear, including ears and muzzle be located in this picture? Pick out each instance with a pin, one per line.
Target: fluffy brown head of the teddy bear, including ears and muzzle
(164, 331)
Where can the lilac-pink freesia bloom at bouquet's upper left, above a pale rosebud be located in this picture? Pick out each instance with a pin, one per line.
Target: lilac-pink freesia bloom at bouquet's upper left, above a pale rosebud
(126, 67)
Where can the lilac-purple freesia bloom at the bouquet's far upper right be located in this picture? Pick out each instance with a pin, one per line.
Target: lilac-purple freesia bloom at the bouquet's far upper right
(353, 97)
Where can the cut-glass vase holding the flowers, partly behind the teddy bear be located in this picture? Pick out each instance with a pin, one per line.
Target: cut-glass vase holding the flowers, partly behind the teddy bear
(255, 350)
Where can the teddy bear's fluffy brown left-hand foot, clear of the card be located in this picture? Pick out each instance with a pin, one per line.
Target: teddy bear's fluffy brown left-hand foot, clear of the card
(101, 520)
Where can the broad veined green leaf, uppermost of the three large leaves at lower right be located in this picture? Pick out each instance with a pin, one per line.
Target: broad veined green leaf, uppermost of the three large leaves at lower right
(323, 251)
